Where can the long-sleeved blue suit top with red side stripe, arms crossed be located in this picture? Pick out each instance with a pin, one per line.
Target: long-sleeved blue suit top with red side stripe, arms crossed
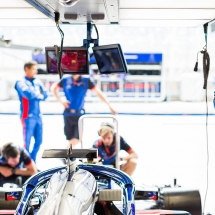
(30, 92)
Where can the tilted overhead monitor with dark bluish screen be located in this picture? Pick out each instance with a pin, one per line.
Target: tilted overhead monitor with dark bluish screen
(110, 59)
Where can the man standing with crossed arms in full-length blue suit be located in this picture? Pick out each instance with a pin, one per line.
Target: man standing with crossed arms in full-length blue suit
(31, 91)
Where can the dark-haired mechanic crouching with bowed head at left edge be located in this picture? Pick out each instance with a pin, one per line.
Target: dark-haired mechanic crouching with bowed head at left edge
(15, 162)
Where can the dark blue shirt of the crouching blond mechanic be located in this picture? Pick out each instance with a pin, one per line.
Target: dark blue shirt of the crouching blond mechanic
(109, 154)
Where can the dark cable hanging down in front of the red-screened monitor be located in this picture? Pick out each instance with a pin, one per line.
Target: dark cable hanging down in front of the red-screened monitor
(59, 57)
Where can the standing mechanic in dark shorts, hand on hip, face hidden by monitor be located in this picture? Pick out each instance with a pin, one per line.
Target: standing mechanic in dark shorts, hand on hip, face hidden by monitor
(75, 88)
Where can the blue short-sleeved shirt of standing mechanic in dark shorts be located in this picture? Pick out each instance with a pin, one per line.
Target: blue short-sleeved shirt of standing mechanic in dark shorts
(75, 91)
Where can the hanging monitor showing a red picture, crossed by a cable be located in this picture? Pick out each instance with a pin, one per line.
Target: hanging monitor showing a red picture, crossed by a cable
(74, 60)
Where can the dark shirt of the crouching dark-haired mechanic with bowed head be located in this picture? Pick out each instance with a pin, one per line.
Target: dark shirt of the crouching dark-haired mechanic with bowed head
(24, 159)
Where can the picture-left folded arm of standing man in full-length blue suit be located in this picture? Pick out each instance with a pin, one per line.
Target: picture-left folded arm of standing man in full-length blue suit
(28, 92)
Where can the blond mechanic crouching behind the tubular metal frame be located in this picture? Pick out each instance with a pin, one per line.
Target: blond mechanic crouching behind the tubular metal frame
(107, 152)
